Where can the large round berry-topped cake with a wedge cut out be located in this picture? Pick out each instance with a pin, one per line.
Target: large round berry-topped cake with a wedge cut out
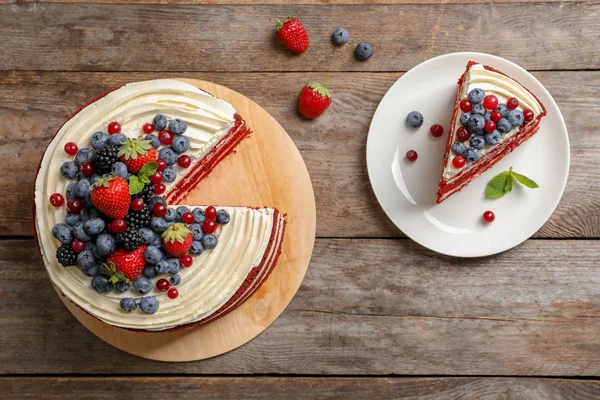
(113, 234)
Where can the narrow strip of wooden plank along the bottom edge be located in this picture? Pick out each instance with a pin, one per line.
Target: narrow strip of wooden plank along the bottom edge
(260, 388)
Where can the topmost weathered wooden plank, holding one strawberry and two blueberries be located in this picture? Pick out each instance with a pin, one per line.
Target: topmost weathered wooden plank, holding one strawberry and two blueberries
(109, 37)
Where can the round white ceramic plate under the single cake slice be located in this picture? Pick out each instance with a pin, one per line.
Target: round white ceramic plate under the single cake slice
(407, 191)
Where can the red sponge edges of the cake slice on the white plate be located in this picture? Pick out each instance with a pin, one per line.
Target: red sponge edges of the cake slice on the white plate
(463, 178)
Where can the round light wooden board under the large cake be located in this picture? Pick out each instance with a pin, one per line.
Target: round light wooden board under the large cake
(265, 170)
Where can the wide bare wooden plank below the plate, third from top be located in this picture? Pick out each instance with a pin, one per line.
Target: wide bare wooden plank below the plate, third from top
(376, 307)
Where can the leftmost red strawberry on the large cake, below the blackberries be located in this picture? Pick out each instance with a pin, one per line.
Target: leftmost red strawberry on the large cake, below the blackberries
(111, 196)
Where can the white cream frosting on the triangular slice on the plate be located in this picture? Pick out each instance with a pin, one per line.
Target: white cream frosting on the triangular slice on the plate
(503, 88)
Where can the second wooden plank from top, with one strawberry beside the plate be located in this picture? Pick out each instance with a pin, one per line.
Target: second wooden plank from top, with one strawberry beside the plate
(34, 105)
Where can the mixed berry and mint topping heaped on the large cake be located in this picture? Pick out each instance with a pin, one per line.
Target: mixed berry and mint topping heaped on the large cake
(115, 229)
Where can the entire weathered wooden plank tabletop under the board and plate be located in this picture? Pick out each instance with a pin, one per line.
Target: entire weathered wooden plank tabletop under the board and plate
(377, 316)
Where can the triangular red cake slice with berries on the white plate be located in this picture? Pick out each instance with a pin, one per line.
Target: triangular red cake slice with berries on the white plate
(493, 115)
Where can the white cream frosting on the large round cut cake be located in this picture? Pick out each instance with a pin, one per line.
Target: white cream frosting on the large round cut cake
(216, 274)
